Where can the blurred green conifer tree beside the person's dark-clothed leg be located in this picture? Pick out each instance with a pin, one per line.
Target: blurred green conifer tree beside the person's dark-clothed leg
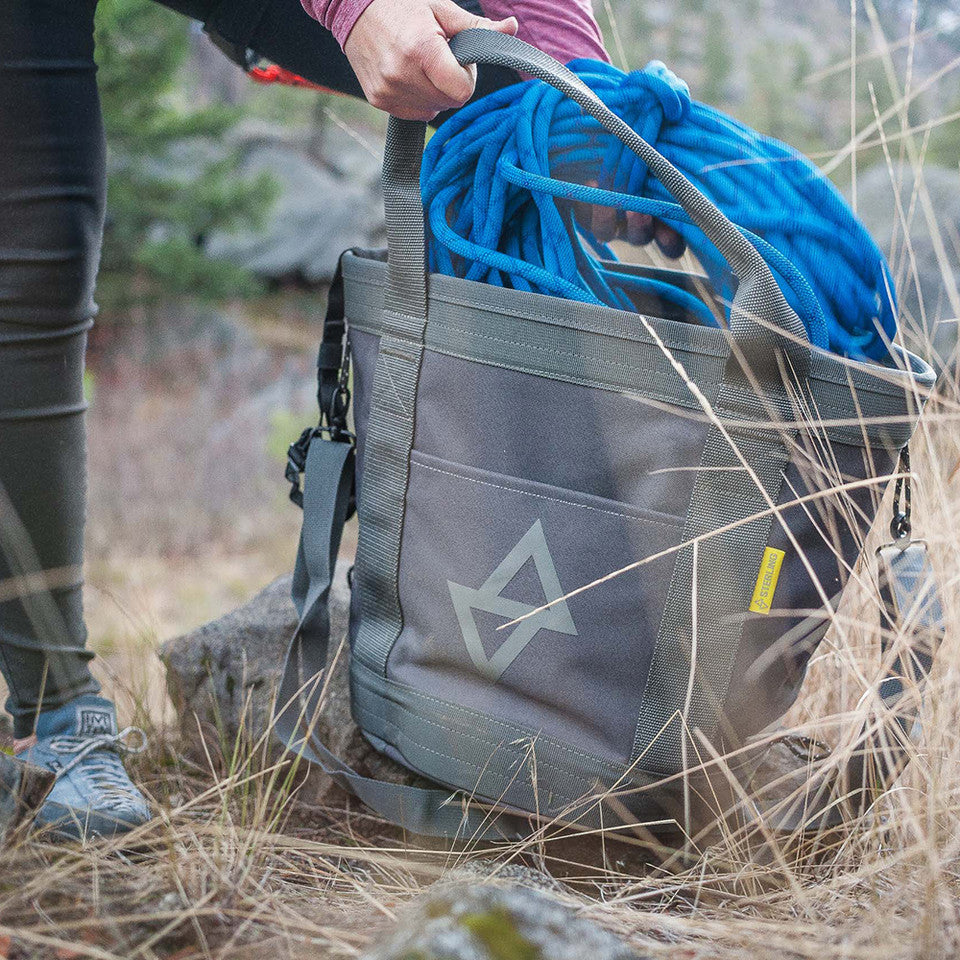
(171, 179)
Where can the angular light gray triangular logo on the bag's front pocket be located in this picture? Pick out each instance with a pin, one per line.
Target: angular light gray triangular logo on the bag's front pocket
(532, 546)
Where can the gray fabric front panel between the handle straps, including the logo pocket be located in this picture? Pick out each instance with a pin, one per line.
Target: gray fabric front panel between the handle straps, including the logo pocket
(482, 547)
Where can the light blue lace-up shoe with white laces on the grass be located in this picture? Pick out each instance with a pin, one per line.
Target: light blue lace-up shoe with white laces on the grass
(92, 796)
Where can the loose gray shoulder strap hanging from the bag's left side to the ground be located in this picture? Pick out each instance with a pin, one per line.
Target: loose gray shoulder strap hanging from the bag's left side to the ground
(328, 486)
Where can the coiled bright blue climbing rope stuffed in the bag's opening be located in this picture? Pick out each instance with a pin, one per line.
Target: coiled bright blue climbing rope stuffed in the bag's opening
(500, 179)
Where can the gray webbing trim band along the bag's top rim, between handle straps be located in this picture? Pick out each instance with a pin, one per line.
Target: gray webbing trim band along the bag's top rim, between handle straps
(490, 325)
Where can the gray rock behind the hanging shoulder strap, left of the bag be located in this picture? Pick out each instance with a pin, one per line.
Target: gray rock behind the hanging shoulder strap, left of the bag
(222, 679)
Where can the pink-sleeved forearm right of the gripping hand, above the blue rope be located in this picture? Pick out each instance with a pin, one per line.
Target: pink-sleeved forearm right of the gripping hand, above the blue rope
(566, 29)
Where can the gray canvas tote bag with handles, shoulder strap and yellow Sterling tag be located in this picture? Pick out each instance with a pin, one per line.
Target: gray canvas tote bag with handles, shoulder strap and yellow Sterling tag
(596, 547)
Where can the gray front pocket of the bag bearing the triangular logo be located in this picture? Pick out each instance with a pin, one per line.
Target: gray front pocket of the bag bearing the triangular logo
(483, 555)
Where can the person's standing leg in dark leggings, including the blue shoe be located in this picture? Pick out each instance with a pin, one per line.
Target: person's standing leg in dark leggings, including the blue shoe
(51, 221)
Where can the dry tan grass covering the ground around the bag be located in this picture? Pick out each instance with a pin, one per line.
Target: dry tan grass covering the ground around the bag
(235, 866)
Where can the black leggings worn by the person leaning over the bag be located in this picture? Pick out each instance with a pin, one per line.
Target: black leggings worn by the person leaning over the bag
(52, 190)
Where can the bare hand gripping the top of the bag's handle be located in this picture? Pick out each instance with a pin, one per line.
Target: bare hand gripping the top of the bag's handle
(400, 54)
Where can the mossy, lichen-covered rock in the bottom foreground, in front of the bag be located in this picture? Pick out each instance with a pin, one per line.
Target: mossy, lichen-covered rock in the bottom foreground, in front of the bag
(464, 921)
